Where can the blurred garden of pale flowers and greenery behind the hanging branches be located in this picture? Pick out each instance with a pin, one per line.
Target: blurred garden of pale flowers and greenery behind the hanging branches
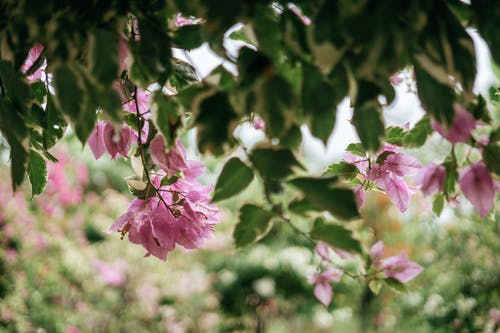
(60, 271)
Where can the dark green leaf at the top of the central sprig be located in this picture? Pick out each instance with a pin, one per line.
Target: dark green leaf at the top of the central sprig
(274, 162)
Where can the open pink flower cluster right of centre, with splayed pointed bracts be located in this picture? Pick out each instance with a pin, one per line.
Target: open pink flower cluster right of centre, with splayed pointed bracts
(387, 172)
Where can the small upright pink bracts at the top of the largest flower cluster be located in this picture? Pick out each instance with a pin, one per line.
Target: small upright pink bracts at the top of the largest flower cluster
(171, 162)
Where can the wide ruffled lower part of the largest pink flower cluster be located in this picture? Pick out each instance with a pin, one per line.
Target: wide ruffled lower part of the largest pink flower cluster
(177, 214)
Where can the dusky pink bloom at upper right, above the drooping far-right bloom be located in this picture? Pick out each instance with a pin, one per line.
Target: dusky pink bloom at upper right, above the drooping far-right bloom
(462, 127)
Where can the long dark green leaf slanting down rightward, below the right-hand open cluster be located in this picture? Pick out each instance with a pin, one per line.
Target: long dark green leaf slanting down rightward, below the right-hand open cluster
(325, 194)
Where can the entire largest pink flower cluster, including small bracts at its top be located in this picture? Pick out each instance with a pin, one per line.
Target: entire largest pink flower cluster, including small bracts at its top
(178, 212)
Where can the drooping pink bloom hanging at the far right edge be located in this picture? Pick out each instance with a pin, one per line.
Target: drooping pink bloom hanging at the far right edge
(478, 187)
